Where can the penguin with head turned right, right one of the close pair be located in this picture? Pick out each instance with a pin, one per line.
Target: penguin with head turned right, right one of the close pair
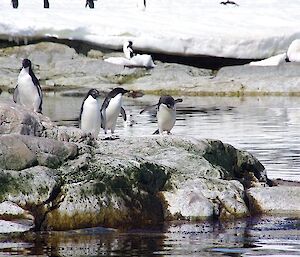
(111, 108)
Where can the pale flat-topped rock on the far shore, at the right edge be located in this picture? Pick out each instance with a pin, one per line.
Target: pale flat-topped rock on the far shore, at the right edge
(253, 80)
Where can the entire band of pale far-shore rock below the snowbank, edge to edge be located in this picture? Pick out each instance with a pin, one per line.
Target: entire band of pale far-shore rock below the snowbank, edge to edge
(60, 67)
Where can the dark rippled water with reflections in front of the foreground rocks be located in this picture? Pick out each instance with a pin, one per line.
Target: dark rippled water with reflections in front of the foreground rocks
(250, 237)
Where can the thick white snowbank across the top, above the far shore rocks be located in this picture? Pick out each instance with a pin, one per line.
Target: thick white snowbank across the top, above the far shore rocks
(254, 29)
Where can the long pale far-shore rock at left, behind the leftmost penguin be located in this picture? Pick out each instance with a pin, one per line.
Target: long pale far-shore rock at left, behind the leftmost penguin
(56, 65)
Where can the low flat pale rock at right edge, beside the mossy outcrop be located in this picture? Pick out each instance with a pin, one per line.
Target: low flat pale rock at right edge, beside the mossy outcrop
(275, 200)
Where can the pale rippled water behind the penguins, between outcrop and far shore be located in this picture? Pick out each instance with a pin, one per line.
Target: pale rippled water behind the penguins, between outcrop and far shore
(268, 127)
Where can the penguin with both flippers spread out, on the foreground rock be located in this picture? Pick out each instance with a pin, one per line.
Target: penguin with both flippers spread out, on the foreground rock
(166, 113)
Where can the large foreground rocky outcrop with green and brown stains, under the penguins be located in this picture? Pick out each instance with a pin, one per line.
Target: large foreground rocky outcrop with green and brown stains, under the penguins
(64, 180)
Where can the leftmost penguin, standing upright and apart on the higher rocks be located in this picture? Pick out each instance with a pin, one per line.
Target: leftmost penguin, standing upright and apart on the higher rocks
(28, 91)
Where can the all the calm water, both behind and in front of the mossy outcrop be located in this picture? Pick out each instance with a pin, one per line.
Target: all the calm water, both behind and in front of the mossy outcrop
(268, 127)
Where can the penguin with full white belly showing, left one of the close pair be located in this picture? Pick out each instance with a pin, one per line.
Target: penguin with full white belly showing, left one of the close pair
(90, 117)
